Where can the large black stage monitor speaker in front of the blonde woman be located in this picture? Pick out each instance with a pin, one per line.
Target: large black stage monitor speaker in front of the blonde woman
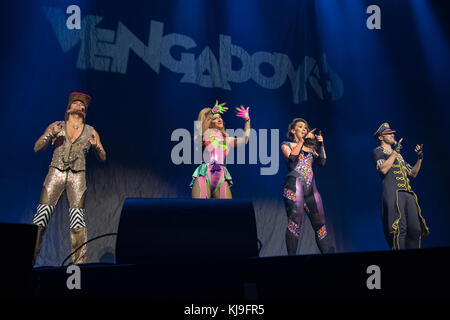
(155, 230)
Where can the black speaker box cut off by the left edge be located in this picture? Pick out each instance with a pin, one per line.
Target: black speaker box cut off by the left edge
(17, 249)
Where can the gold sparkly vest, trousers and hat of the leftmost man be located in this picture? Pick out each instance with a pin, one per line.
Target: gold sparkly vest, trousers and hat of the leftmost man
(67, 172)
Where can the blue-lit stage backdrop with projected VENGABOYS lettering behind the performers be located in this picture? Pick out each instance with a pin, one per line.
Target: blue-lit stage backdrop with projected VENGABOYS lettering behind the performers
(151, 66)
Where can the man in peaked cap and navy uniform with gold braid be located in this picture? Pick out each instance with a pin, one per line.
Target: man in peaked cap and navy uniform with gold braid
(403, 224)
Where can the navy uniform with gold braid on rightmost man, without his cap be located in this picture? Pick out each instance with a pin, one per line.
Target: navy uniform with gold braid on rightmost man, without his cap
(403, 224)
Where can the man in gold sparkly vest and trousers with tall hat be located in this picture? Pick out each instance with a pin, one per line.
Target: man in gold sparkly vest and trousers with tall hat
(71, 140)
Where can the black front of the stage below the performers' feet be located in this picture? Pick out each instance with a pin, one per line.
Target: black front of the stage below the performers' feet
(404, 275)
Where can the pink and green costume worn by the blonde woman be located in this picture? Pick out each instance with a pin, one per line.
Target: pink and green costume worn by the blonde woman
(214, 174)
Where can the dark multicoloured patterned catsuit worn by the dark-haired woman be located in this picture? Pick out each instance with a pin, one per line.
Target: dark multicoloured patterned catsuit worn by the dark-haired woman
(300, 193)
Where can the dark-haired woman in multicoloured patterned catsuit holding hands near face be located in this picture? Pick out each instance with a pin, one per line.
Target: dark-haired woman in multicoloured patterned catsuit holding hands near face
(300, 191)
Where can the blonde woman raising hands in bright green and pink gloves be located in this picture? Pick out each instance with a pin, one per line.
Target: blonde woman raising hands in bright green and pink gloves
(211, 179)
